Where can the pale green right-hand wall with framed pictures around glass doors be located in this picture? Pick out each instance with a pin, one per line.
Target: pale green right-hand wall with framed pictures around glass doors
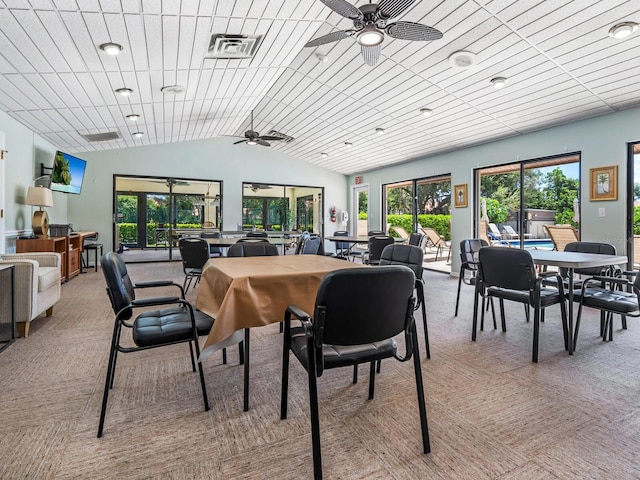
(601, 140)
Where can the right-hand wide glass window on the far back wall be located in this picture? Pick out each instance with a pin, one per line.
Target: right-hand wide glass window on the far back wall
(281, 207)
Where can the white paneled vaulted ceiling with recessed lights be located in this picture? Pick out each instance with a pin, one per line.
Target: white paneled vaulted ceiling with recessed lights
(559, 60)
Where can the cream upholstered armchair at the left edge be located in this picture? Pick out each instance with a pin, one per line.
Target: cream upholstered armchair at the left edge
(37, 288)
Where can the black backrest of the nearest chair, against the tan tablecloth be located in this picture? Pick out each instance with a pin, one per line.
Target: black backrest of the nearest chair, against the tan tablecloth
(363, 305)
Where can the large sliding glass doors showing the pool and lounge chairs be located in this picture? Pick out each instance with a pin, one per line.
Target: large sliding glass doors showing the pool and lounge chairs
(522, 197)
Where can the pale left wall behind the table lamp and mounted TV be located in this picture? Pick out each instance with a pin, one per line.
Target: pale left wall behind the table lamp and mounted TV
(25, 152)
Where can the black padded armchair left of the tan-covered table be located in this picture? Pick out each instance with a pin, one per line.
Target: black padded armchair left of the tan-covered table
(177, 322)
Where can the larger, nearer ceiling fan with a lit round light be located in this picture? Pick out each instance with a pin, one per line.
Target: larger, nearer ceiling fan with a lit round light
(370, 23)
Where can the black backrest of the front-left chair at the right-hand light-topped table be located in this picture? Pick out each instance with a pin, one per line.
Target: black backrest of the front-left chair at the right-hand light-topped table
(510, 268)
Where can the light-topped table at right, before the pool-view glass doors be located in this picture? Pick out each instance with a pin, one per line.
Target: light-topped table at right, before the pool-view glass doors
(571, 261)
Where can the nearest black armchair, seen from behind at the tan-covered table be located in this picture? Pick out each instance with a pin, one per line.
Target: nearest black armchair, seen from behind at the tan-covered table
(357, 313)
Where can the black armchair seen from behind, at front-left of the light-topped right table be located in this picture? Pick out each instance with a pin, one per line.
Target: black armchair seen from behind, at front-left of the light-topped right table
(510, 274)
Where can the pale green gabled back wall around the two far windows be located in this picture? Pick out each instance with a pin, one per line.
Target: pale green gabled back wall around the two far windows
(214, 159)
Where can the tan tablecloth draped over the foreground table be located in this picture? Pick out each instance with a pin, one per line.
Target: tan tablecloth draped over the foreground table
(255, 291)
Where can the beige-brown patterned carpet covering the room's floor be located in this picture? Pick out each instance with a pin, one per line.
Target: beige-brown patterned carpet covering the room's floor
(492, 413)
